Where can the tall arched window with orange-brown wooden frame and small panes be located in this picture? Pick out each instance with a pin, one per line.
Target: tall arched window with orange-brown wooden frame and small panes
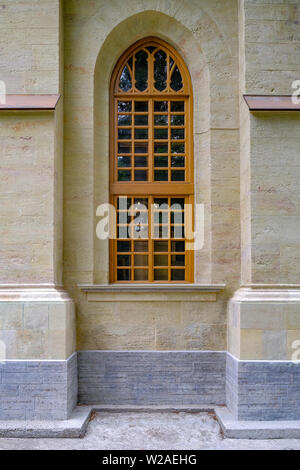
(151, 165)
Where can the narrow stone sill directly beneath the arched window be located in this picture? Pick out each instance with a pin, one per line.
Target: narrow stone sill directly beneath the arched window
(151, 292)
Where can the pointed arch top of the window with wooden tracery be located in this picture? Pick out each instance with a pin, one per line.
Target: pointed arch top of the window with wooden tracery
(151, 66)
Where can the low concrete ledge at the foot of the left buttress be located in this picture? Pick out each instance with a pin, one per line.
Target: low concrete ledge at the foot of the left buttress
(74, 427)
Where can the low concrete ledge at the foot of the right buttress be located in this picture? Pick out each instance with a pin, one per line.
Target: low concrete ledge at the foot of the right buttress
(234, 429)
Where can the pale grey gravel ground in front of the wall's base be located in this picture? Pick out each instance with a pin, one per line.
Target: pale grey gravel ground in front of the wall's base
(151, 431)
